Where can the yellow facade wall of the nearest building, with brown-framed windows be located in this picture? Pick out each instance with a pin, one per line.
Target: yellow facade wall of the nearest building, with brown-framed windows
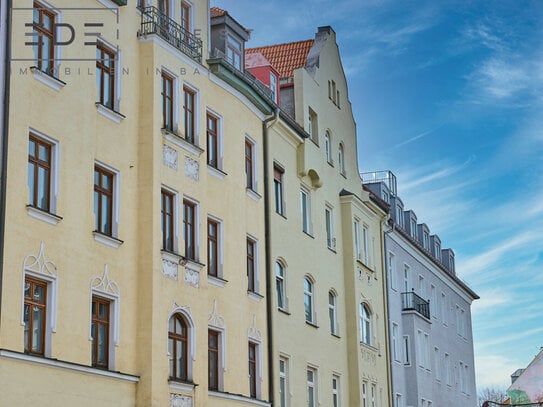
(144, 285)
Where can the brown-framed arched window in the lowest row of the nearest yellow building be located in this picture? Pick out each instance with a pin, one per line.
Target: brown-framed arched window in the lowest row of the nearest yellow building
(178, 344)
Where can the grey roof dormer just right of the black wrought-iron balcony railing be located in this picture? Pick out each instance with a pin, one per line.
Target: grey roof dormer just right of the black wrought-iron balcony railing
(228, 38)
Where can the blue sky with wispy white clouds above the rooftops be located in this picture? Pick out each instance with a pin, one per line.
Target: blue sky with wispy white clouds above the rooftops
(449, 96)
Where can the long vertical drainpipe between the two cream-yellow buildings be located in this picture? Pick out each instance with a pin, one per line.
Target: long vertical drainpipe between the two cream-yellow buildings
(269, 283)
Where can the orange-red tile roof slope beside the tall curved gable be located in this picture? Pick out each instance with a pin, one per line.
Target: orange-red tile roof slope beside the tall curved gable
(285, 58)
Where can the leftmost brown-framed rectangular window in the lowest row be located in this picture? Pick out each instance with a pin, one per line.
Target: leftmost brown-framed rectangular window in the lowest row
(35, 311)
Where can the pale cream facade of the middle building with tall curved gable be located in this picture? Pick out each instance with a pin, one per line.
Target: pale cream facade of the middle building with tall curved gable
(326, 269)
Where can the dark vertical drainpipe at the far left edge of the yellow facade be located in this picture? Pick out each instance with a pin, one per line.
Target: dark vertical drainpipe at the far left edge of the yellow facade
(4, 146)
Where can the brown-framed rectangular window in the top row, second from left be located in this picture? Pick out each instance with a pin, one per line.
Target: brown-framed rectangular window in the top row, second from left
(105, 75)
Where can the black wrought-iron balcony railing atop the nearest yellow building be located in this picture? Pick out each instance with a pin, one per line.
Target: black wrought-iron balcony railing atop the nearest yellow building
(153, 21)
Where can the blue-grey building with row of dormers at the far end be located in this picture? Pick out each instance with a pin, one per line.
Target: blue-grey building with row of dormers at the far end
(431, 344)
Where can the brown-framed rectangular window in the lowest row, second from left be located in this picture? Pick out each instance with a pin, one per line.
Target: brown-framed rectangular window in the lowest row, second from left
(100, 332)
